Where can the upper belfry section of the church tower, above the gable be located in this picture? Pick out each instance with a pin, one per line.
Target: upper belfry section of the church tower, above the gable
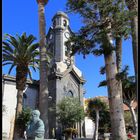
(57, 36)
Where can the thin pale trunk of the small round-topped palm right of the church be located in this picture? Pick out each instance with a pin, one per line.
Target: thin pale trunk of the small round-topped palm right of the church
(95, 137)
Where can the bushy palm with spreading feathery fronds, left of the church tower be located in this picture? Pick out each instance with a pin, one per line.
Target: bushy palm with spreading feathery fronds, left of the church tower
(22, 53)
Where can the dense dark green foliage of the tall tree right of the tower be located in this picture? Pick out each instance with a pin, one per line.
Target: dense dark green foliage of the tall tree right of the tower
(97, 17)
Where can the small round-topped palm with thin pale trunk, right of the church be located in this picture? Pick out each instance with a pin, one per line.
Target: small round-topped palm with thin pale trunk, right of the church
(96, 104)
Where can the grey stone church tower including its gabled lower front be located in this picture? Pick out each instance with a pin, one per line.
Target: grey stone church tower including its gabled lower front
(64, 78)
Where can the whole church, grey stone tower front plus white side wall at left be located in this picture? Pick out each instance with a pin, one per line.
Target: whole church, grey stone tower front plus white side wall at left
(64, 78)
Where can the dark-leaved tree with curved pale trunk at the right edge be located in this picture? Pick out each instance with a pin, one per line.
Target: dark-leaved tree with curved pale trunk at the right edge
(128, 92)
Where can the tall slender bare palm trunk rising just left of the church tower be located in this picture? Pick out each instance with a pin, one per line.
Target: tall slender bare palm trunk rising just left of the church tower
(43, 94)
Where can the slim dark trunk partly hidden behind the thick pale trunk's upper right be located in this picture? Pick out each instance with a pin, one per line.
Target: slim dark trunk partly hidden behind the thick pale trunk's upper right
(119, 53)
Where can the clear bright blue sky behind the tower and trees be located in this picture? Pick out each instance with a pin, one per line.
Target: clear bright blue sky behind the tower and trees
(20, 16)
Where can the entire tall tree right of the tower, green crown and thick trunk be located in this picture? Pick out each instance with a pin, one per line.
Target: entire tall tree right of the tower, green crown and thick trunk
(104, 22)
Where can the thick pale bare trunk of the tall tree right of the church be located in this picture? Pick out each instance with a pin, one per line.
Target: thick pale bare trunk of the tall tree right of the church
(115, 99)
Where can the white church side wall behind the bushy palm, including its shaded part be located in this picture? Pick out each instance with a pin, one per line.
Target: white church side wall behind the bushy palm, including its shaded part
(10, 100)
